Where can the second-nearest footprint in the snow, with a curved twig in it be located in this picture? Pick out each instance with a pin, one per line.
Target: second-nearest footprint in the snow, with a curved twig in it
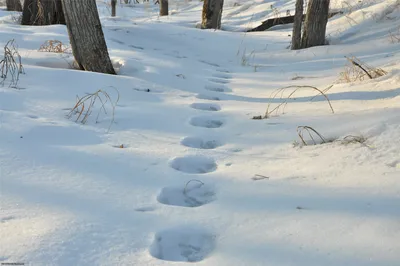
(193, 194)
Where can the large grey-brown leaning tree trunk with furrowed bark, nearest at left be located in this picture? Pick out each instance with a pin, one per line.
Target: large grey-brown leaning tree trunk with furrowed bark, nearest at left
(86, 36)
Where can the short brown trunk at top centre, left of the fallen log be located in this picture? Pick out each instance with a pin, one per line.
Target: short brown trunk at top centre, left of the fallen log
(212, 13)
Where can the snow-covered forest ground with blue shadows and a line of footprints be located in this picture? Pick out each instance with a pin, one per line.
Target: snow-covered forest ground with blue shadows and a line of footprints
(184, 175)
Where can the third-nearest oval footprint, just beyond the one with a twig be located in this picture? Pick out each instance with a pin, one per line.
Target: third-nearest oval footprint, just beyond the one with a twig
(194, 164)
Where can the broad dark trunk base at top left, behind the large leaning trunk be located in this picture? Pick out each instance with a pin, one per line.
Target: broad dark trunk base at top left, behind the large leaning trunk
(42, 12)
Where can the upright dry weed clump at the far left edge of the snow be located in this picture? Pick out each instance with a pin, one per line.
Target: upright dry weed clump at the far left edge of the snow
(11, 64)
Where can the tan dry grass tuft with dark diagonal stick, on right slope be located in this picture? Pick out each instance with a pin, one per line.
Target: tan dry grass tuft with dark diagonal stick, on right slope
(356, 70)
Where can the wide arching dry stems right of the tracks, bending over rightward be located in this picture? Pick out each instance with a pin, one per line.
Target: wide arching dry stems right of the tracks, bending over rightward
(280, 92)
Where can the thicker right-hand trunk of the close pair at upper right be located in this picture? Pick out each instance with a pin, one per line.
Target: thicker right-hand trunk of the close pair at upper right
(315, 23)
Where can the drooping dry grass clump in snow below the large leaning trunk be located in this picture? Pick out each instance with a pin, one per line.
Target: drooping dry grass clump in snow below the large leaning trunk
(85, 106)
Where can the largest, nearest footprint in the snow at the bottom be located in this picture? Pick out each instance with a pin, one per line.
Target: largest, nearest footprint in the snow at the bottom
(183, 243)
